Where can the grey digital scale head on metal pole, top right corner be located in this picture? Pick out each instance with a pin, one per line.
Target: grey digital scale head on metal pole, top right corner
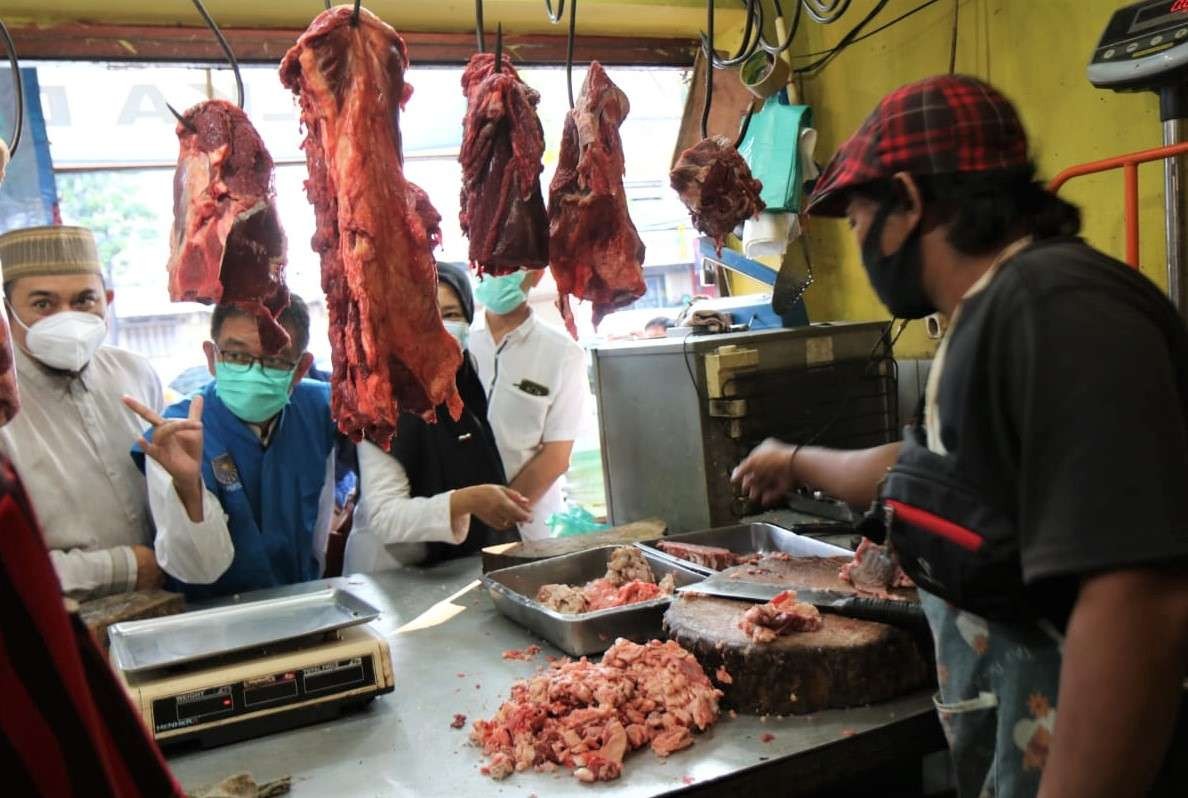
(1145, 48)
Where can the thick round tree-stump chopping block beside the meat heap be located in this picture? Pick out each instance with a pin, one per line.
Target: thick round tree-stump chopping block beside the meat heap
(848, 663)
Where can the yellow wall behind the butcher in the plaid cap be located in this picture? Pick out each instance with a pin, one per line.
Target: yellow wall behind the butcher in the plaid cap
(1037, 54)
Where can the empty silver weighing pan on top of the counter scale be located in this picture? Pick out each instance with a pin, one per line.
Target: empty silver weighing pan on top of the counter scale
(189, 637)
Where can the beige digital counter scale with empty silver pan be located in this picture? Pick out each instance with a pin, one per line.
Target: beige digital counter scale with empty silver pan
(235, 673)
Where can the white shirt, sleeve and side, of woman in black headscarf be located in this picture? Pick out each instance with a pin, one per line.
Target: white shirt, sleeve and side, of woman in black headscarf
(391, 527)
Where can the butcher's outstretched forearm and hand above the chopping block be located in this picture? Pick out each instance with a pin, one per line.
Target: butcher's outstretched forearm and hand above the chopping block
(776, 468)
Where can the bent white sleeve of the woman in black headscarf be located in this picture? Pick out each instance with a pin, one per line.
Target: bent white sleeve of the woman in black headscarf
(388, 509)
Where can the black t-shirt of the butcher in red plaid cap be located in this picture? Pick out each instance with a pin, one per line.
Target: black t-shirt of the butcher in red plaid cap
(1065, 400)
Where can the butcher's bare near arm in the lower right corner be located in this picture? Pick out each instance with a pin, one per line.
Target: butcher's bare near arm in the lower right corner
(1124, 624)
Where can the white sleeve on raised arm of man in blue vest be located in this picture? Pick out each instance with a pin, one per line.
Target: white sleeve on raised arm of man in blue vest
(195, 553)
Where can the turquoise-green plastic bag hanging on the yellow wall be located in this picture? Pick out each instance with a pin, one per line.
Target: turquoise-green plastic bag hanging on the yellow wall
(772, 149)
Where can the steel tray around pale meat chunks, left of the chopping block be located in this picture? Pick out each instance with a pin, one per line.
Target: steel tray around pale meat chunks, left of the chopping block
(514, 593)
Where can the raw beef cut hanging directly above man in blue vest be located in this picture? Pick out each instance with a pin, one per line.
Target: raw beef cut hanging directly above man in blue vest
(228, 245)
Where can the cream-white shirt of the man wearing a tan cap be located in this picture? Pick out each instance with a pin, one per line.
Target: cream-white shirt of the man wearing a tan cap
(72, 444)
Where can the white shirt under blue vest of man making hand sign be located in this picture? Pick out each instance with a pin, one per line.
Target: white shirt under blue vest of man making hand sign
(199, 554)
